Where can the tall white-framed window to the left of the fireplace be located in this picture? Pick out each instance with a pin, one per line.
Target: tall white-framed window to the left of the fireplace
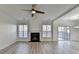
(22, 31)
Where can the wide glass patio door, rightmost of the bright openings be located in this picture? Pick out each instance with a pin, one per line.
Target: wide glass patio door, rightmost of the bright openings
(63, 33)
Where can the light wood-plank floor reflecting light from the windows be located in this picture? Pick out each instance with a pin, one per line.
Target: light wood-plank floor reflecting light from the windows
(61, 47)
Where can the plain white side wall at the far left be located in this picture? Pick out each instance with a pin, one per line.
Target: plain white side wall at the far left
(7, 30)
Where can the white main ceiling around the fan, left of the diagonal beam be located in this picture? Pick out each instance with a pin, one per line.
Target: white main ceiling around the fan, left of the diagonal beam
(52, 11)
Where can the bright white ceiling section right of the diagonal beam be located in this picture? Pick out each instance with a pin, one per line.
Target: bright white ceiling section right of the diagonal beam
(72, 15)
